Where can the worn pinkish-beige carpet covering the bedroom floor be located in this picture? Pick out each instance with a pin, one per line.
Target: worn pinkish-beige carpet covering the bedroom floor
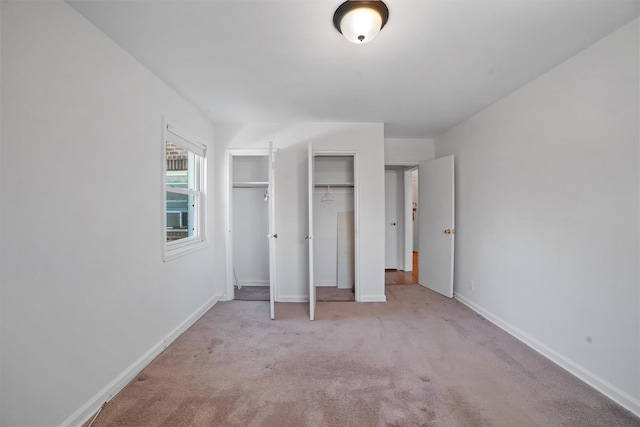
(418, 360)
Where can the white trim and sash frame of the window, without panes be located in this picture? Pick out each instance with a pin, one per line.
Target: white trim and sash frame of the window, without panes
(174, 134)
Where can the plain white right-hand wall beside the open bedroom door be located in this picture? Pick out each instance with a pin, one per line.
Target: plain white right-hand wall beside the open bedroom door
(547, 214)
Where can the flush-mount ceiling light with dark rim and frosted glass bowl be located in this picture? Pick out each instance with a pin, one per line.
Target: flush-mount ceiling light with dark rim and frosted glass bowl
(360, 21)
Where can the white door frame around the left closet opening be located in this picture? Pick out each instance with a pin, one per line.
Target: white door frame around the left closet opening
(230, 153)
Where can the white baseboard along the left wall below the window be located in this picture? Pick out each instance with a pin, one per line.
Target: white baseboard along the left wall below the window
(87, 410)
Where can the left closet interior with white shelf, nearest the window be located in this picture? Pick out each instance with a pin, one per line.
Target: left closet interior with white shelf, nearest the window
(250, 224)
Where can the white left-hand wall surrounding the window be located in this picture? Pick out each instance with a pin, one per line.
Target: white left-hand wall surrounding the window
(85, 295)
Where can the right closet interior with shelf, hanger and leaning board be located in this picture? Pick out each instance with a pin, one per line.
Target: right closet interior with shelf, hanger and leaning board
(334, 236)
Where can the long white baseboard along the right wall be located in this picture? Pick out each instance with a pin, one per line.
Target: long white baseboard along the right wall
(622, 398)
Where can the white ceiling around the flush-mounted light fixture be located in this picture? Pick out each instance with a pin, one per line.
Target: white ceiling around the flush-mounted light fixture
(436, 62)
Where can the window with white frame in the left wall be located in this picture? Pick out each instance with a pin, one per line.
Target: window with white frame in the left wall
(184, 172)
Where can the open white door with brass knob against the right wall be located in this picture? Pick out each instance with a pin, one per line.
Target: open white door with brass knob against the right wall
(437, 228)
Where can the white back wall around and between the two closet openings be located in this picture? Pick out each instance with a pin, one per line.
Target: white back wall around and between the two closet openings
(365, 139)
